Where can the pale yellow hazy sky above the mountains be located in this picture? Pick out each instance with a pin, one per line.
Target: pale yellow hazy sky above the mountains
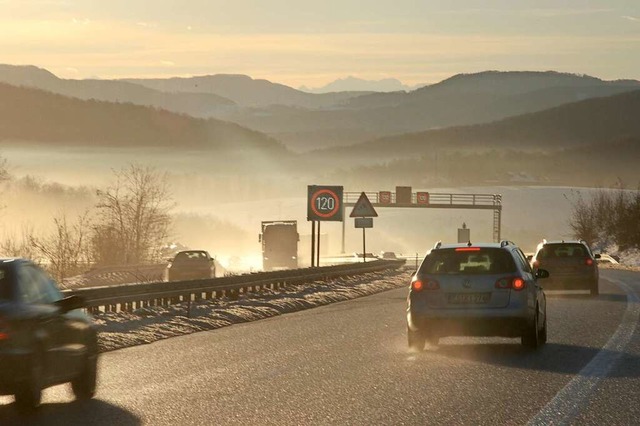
(299, 42)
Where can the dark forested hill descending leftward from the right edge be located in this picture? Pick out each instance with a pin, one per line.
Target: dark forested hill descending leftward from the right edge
(599, 120)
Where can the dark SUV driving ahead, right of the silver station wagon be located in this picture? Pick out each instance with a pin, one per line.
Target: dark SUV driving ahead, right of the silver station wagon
(571, 264)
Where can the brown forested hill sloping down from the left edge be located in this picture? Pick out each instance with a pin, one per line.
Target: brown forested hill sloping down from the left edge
(34, 115)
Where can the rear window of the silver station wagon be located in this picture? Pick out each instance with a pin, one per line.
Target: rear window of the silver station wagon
(484, 261)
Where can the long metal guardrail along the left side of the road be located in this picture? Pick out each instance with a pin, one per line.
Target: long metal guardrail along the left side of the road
(127, 297)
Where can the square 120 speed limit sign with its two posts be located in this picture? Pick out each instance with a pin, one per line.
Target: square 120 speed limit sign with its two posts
(324, 204)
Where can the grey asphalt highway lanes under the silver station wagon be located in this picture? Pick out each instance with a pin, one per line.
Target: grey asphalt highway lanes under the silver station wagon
(348, 363)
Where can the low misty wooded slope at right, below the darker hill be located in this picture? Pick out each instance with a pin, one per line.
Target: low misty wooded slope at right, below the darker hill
(593, 165)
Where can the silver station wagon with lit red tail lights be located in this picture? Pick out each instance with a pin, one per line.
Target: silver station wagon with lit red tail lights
(469, 289)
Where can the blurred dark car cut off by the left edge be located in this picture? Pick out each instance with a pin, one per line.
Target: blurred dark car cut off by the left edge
(45, 338)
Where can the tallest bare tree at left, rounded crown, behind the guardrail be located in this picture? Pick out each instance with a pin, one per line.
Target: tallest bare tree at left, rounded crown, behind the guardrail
(133, 217)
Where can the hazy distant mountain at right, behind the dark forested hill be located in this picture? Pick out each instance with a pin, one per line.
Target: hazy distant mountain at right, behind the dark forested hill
(460, 100)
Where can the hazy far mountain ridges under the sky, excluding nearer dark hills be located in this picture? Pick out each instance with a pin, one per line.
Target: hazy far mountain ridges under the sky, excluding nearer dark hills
(306, 121)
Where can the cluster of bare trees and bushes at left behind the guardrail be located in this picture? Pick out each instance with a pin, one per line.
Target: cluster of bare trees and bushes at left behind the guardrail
(128, 225)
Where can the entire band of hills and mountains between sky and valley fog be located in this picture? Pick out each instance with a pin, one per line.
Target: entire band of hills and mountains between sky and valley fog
(467, 119)
